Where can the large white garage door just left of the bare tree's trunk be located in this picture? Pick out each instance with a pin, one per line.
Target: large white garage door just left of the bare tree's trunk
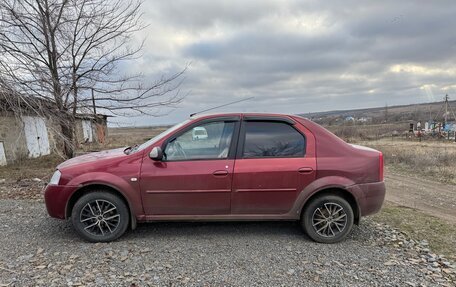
(36, 136)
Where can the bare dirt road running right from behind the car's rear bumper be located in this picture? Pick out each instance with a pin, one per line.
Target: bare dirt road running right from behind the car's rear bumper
(431, 197)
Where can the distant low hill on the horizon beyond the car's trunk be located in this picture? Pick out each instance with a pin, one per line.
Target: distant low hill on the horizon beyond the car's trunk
(413, 113)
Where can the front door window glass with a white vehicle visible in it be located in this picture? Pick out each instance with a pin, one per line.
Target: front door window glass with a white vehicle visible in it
(206, 141)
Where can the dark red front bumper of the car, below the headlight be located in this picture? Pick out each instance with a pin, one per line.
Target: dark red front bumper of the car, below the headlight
(56, 198)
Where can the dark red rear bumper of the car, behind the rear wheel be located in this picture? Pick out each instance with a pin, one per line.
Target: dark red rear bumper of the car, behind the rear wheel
(370, 196)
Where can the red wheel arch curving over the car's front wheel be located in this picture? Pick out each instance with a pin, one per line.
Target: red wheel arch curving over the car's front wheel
(100, 187)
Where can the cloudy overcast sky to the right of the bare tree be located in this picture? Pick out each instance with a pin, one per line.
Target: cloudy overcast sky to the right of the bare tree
(299, 56)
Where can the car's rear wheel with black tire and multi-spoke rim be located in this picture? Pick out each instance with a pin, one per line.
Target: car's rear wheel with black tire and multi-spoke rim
(327, 219)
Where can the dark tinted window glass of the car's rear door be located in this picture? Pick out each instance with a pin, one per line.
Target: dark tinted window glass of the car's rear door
(272, 139)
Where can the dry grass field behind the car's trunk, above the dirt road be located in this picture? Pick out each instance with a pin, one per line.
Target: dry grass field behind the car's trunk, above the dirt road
(432, 159)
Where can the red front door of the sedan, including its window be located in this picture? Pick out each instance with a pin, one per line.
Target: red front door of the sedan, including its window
(195, 176)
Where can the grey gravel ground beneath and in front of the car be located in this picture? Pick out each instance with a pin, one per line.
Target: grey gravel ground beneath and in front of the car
(36, 250)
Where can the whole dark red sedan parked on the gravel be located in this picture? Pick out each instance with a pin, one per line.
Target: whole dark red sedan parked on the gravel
(245, 167)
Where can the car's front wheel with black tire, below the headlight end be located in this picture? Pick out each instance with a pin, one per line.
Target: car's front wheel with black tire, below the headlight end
(95, 226)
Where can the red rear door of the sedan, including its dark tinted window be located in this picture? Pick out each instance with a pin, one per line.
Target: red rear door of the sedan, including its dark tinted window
(271, 167)
